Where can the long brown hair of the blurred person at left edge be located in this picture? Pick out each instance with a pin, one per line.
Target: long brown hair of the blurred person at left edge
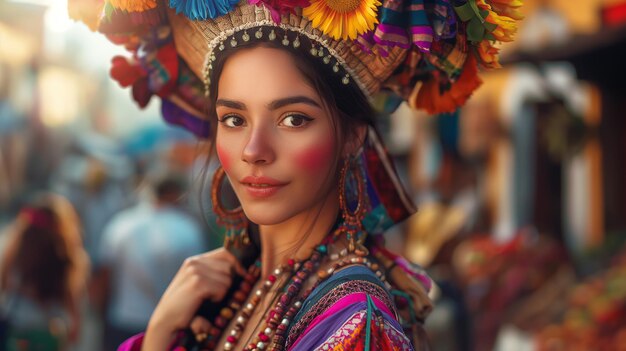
(44, 251)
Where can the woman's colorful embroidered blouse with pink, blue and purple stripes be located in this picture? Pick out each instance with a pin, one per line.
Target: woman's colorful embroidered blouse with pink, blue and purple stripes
(352, 310)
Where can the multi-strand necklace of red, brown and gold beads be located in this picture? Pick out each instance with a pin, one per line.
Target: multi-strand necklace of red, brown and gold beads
(273, 332)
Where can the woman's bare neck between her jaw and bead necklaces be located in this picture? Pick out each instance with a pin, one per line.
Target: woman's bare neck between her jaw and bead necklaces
(298, 236)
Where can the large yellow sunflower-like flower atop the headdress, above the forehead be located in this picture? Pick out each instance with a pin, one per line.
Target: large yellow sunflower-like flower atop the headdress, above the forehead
(343, 19)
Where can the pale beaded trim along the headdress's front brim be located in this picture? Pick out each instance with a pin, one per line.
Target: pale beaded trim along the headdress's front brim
(323, 42)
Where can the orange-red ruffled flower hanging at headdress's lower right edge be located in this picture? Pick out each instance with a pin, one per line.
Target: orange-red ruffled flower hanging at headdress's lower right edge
(430, 98)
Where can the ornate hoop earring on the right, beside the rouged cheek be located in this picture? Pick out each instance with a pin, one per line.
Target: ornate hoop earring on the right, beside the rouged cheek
(352, 224)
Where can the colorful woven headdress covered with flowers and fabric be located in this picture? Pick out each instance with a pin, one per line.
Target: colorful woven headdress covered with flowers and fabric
(426, 51)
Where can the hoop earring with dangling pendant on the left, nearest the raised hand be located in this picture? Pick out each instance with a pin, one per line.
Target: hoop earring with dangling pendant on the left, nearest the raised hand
(234, 221)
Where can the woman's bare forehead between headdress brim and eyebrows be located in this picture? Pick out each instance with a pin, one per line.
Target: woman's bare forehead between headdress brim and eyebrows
(262, 74)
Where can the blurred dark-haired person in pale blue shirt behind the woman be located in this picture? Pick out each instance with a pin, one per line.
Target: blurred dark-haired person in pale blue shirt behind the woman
(141, 250)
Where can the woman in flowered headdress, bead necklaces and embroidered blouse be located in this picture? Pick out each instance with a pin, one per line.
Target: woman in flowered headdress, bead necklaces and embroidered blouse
(288, 84)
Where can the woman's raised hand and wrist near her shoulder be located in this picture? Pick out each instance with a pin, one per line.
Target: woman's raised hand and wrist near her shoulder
(204, 277)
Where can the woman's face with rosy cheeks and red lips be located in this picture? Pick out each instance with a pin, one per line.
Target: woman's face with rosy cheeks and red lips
(275, 139)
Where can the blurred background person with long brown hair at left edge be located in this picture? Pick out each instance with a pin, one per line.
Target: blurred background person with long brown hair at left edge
(43, 276)
